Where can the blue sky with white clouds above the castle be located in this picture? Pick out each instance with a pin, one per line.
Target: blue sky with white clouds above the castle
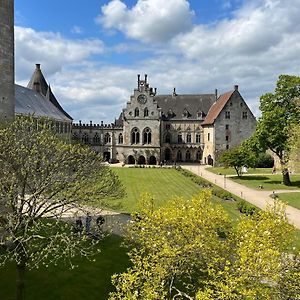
(91, 51)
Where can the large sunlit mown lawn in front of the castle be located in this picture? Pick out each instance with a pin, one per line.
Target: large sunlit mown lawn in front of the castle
(162, 184)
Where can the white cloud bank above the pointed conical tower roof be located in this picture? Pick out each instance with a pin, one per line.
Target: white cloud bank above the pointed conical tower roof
(51, 50)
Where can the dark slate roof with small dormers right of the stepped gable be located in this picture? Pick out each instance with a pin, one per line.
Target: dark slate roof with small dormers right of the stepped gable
(180, 103)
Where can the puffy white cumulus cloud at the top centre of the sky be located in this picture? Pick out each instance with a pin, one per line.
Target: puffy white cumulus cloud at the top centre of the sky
(148, 20)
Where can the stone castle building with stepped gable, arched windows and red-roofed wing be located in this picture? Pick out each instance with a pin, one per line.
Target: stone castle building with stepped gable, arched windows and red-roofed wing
(156, 128)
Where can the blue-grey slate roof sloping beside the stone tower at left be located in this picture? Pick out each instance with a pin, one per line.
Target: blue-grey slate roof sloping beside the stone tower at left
(32, 102)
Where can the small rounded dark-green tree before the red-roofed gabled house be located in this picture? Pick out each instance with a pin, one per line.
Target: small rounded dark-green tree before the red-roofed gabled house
(238, 157)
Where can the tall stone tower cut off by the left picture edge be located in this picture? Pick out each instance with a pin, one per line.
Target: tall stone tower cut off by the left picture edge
(7, 70)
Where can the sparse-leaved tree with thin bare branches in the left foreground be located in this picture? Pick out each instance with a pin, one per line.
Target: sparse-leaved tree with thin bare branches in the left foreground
(41, 178)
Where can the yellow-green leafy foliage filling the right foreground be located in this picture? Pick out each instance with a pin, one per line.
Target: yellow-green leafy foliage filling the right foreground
(191, 250)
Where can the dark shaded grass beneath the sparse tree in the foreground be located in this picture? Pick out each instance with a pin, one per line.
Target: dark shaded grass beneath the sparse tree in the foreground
(91, 280)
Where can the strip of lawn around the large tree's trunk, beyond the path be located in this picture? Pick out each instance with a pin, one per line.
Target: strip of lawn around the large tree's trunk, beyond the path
(269, 182)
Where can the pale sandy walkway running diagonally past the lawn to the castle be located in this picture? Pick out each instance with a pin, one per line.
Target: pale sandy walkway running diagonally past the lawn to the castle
(259, 198)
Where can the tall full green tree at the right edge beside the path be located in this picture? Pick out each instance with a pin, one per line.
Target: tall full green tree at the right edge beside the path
(280, 113)
